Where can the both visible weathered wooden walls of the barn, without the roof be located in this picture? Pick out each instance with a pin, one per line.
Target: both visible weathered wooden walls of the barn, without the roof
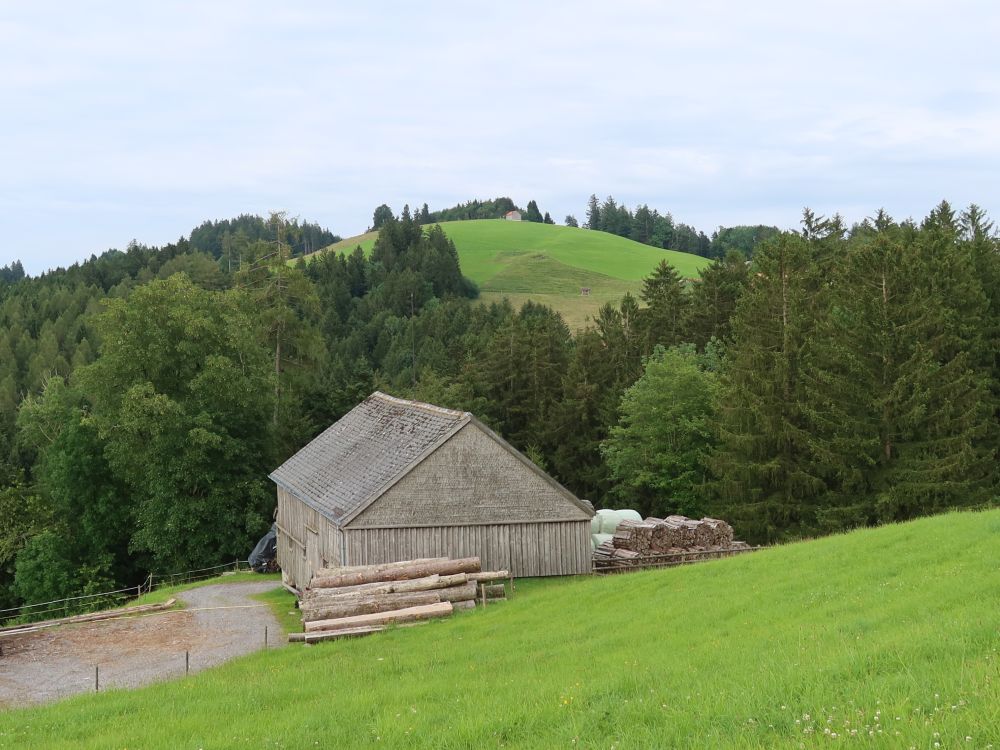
(471, 496)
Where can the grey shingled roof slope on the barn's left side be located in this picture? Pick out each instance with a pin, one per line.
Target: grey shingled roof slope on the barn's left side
(362, 454)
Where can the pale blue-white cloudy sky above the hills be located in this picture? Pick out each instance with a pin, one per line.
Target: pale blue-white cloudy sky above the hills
(141, 120)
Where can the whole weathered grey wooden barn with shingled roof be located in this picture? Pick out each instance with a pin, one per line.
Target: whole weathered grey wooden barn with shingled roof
(396, 480)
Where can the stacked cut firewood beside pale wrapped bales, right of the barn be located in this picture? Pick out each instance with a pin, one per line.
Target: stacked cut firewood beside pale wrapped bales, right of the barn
(673, 535)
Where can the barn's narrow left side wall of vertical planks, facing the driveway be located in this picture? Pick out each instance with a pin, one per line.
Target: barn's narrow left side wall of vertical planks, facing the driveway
(306, 540)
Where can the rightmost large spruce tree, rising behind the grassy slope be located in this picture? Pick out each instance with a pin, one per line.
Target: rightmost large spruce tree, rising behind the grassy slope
(947, 458)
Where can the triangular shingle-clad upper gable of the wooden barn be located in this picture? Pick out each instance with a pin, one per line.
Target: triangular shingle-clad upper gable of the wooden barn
(471, 479)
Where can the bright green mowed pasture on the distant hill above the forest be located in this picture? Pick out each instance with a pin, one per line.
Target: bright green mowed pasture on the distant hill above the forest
(550, 264)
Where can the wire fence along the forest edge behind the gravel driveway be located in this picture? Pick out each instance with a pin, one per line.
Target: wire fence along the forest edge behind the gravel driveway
(83, 603)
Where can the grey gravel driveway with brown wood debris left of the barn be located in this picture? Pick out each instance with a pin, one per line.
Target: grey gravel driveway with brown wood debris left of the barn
(218, 623)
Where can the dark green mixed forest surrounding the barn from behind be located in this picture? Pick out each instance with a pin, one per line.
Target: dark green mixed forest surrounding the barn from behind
(845, 376)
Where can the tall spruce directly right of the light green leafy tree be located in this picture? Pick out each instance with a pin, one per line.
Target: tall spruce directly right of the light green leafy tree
(766, 484)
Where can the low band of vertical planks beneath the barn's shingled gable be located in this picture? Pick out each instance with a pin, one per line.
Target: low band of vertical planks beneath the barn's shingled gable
(526, 549)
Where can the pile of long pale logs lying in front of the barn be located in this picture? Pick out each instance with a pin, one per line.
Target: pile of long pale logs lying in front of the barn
(362, 599)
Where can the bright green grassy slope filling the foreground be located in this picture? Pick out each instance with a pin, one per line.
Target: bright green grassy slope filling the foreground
(879, 638)
